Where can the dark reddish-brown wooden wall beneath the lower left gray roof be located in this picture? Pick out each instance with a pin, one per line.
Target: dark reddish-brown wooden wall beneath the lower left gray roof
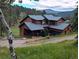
(24, 31)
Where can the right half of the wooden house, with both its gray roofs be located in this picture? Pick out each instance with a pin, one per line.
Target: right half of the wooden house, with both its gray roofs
(56, 25)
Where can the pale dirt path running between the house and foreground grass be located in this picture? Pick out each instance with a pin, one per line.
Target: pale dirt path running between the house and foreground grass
(35, 41)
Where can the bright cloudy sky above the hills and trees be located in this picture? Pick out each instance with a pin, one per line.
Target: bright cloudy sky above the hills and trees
(58, 5)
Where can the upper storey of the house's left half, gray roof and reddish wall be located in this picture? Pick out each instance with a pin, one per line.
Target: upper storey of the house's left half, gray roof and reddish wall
(33, 18)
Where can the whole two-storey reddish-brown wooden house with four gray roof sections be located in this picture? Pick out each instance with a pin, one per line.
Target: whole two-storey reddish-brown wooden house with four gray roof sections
(36, 25)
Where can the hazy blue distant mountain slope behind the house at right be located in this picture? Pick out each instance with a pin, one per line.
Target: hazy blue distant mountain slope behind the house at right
(63, 14)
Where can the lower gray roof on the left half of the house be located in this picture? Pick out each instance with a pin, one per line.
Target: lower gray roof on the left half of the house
(33, 26)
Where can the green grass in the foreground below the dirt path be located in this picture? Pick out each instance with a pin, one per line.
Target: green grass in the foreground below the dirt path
(63, 50)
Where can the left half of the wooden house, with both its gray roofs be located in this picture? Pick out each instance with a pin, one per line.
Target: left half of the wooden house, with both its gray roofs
(31, 25)
